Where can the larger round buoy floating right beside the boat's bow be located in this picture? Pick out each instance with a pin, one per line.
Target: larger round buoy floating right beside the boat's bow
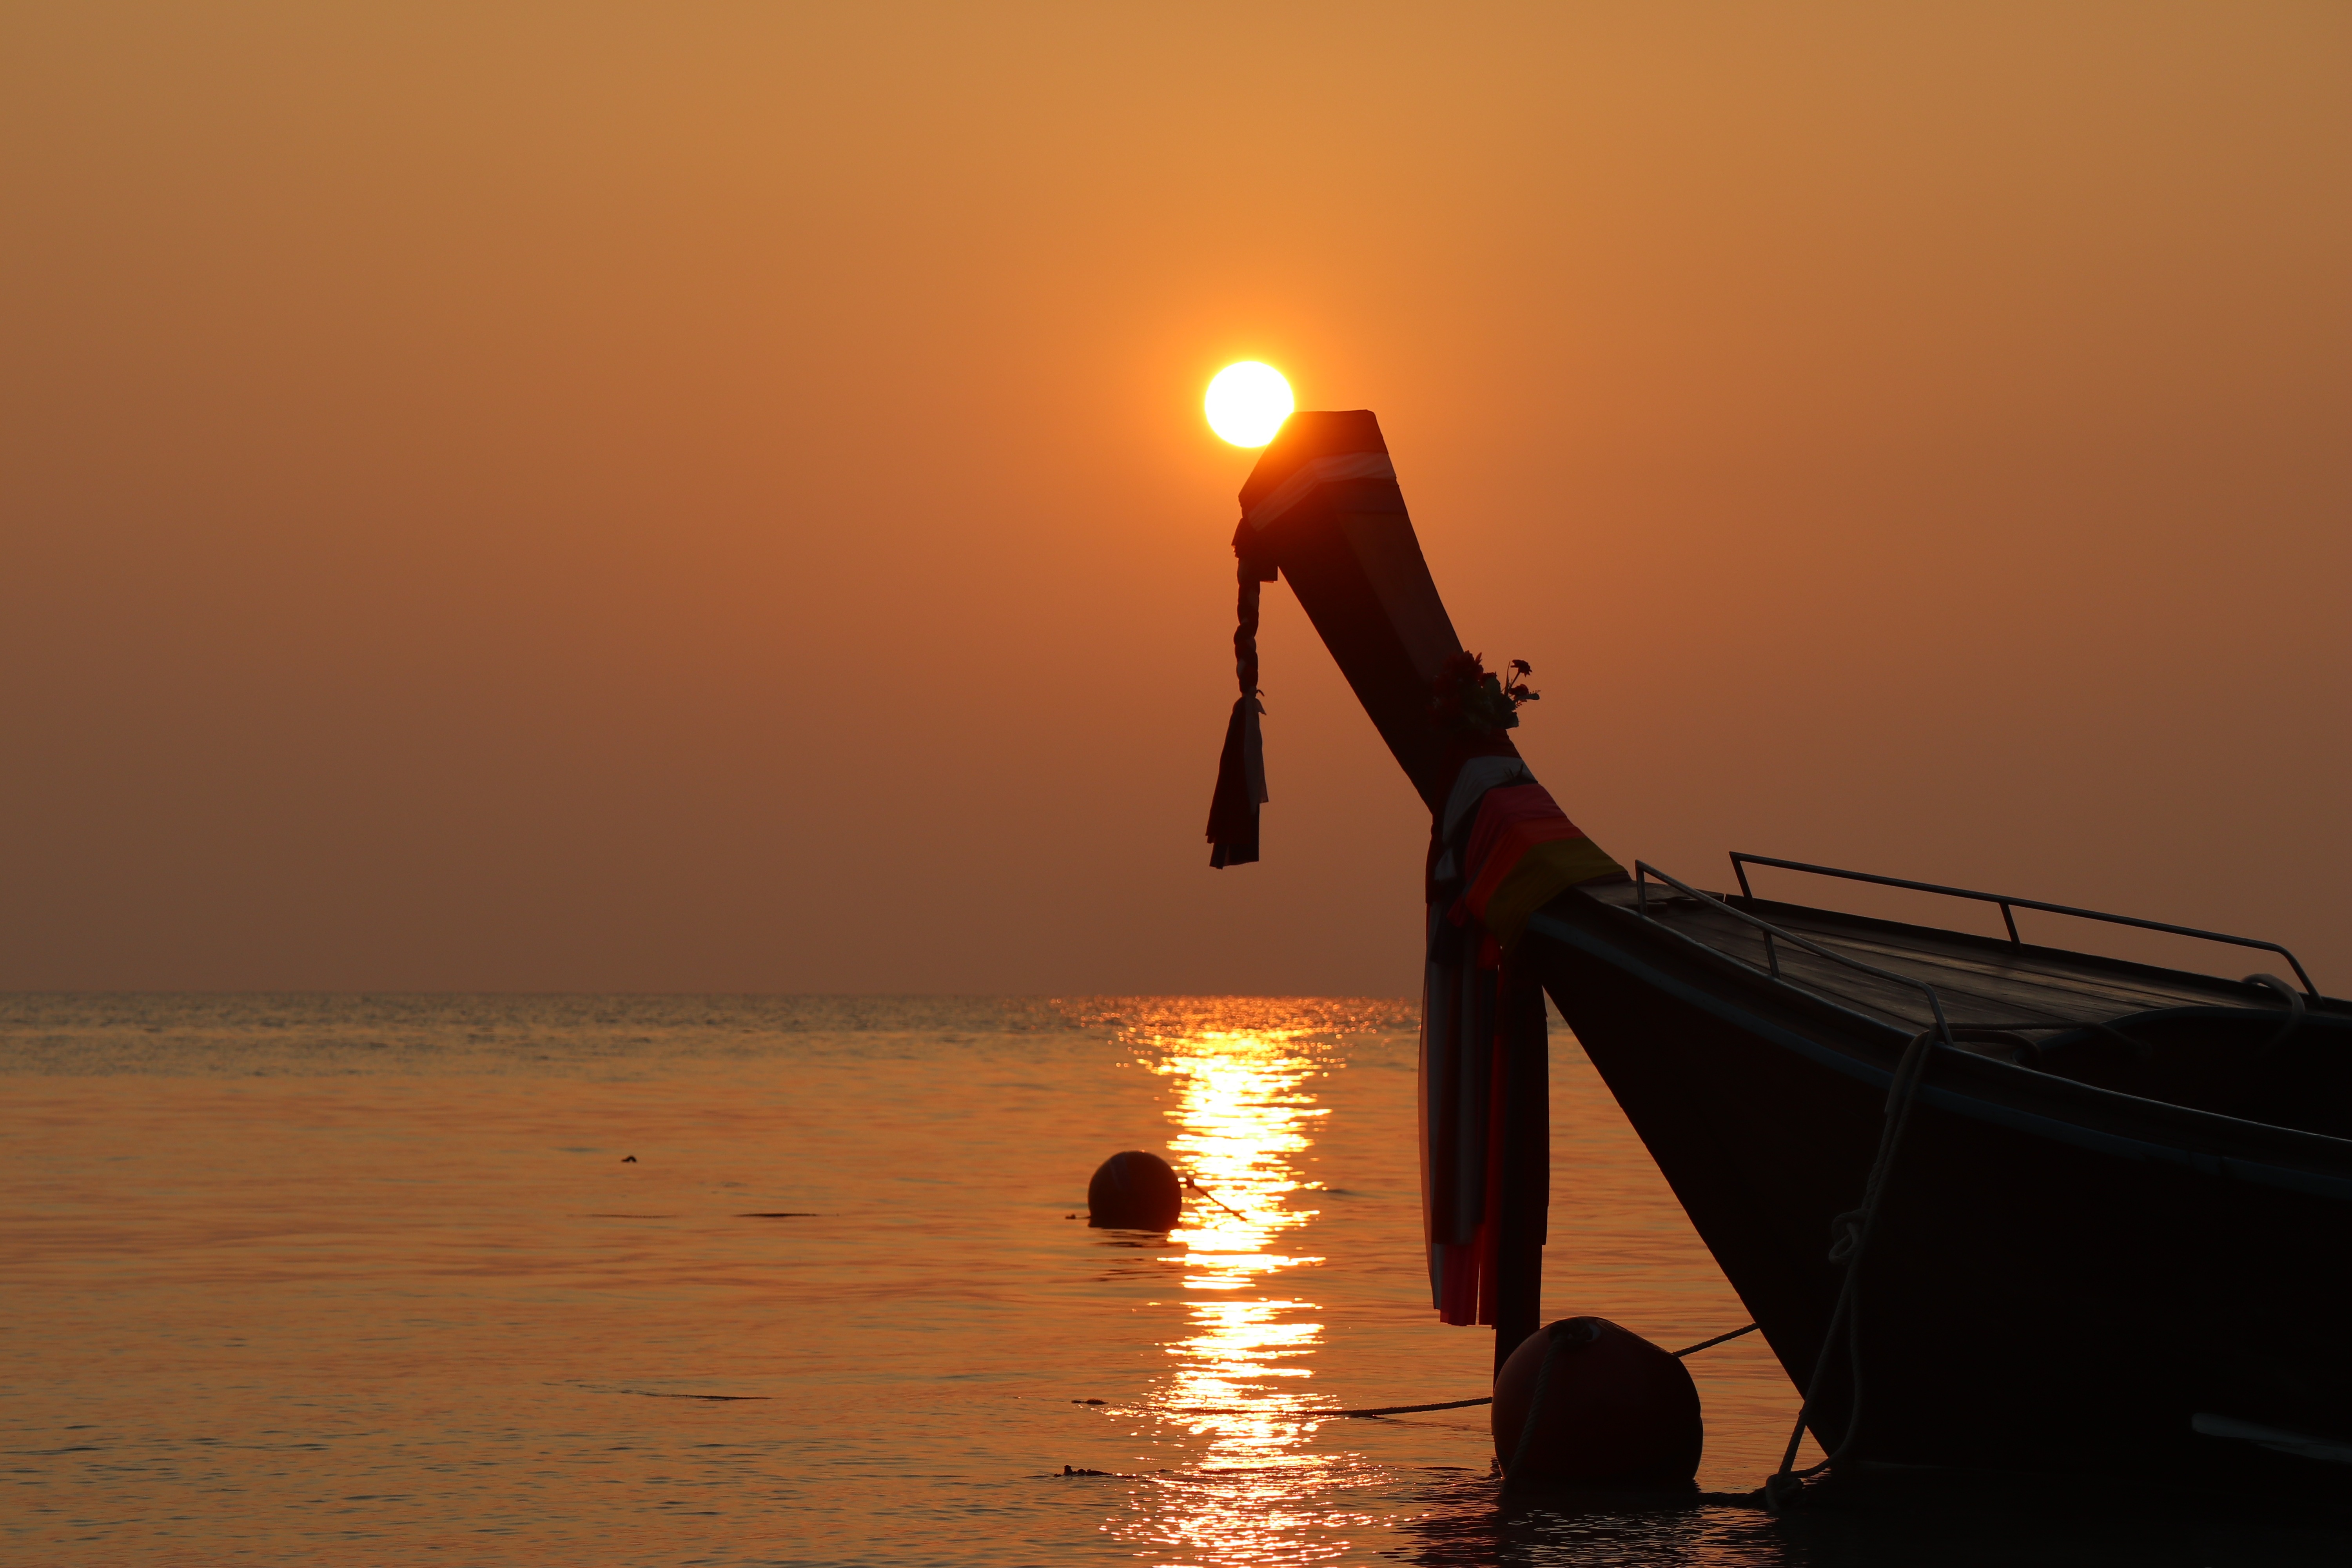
(1617, 1409)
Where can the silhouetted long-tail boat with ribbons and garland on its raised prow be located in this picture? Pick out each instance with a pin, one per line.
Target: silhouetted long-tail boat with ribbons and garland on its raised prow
(2000, 1209)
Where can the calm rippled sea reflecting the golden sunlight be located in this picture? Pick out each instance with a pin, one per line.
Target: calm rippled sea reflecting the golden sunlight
(784, 1280)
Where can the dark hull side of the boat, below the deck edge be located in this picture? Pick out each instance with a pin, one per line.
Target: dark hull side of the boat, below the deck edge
(2064, 1280)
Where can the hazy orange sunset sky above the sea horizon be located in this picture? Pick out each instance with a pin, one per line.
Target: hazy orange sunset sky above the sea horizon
(603, 497)
